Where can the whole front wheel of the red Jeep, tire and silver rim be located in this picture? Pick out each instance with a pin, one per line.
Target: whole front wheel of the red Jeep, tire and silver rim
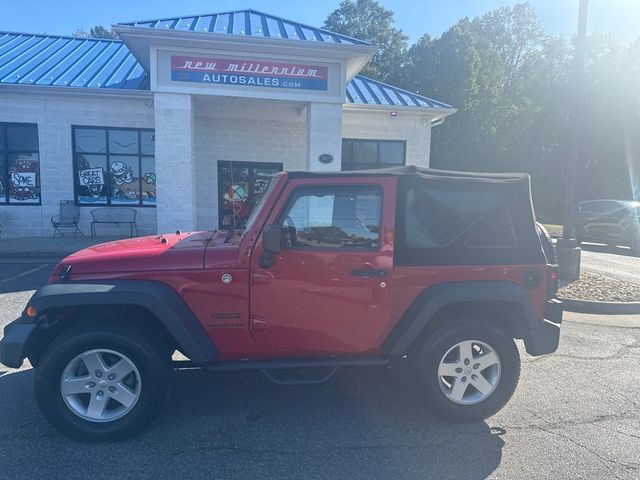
(101, 382)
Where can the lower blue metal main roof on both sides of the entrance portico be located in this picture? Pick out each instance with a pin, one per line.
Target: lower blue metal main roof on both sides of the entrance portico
(51, 60)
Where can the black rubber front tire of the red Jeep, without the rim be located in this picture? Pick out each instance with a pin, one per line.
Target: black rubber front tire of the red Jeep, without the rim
(152, 364)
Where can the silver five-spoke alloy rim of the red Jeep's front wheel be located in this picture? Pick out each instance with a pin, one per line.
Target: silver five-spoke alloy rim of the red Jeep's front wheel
(101, 385)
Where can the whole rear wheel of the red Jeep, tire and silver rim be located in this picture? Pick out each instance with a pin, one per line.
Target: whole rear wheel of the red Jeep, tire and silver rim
(468, 370)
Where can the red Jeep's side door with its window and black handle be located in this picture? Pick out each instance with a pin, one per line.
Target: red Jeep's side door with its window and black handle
(328, 291)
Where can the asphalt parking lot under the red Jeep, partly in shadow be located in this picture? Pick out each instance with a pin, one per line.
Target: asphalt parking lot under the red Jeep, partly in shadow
(575, 414)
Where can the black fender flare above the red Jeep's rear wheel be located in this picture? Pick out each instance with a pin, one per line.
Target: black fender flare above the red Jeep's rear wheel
(433, 299)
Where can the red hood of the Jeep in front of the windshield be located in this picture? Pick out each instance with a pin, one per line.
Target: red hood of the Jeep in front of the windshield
(184, 251)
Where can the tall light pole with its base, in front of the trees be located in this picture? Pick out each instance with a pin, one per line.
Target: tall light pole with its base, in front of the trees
(568, 250)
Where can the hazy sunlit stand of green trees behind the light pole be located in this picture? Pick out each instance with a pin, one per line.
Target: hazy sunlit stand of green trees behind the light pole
(511, 83)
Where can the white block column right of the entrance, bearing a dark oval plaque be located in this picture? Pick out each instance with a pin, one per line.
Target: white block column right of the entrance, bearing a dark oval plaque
(324, 136)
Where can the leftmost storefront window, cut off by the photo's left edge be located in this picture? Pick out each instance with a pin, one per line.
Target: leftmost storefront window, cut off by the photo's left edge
(19, 164)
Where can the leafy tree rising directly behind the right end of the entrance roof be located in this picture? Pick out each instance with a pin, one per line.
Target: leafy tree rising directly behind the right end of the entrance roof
(369, 21)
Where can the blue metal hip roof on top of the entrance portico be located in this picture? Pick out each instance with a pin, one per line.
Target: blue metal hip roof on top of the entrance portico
(249, 23)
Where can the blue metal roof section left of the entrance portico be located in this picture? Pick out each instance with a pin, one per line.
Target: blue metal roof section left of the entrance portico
(30, 59)
